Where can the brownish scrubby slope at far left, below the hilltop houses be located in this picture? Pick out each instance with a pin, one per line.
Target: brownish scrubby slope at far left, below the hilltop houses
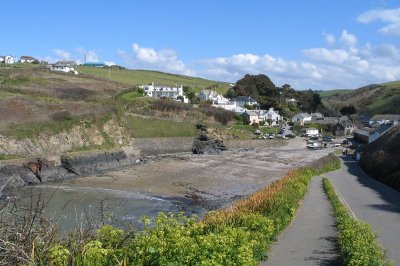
(31, 94)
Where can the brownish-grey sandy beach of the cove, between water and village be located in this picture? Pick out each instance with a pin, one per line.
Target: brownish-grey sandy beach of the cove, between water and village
(213, 180)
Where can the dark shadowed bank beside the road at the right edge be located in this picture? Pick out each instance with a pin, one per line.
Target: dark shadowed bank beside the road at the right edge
(381, 158)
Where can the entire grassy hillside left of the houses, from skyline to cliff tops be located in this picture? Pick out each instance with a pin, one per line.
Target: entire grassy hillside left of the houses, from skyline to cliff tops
(35, 100)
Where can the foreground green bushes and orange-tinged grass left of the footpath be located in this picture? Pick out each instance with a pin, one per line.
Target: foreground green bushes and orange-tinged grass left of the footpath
(237, 235)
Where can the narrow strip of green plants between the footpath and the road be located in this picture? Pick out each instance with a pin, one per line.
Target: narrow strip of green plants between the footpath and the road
(358, 243)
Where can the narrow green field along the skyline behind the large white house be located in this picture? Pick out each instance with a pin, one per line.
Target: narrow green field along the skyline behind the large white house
(134, 77)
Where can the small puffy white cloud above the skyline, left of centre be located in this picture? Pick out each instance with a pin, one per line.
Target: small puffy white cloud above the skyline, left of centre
(162, 60)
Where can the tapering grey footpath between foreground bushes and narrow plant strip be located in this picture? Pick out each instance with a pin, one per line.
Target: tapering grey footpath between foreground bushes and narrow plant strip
(311, 239)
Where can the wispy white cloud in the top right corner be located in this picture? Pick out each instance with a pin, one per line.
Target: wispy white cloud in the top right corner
(390, 16)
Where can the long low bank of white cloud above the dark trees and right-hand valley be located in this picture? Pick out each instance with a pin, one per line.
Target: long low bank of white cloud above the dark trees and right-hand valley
(321, 68)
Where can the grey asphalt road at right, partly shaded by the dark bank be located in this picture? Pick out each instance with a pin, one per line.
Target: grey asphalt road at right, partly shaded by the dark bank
(372, 202)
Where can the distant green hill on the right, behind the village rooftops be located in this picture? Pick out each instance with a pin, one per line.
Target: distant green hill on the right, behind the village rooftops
(372, 99)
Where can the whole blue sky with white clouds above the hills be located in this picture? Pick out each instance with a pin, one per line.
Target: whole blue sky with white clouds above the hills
(309, 44)
